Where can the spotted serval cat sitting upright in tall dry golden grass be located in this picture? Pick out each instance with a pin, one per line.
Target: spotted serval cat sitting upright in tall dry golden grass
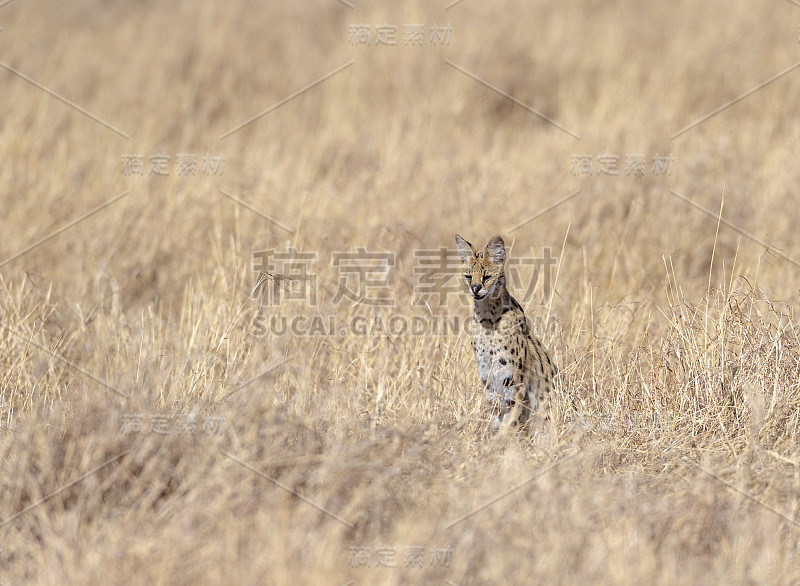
(515, 367)
